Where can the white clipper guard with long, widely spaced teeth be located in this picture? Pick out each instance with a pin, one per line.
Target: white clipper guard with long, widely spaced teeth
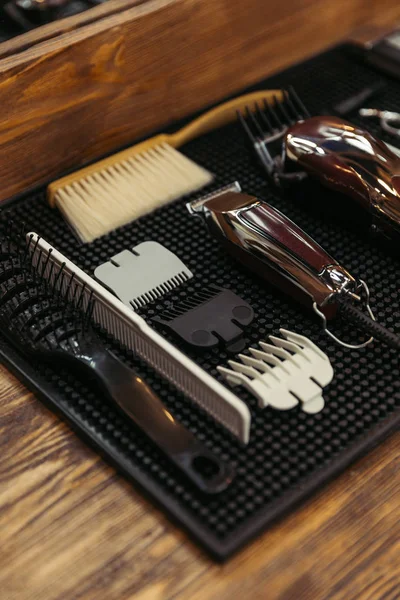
(284, 373)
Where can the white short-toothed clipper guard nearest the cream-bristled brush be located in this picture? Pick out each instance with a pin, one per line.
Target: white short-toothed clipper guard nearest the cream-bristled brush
(143, 274)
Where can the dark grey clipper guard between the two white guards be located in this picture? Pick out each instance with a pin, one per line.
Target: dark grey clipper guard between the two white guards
(208, 317)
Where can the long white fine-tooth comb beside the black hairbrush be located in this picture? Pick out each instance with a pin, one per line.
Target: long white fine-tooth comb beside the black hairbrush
(136, 335)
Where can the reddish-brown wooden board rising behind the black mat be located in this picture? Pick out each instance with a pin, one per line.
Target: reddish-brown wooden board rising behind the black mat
(86, 87)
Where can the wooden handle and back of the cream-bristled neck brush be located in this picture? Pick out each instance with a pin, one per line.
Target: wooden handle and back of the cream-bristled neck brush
(216, 117)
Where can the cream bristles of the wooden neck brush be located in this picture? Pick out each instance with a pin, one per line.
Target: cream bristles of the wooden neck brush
(125, 191)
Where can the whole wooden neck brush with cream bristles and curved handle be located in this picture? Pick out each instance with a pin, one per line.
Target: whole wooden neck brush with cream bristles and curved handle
(123, 187)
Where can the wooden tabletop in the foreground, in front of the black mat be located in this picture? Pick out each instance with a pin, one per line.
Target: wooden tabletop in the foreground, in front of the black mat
(73, 529)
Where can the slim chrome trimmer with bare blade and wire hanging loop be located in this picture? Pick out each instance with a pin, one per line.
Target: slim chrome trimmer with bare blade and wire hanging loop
(267, 242)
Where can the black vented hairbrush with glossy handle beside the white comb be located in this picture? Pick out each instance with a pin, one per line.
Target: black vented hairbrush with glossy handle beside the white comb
(45, 320)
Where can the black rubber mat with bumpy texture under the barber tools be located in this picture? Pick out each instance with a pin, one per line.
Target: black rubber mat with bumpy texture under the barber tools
(290, 454)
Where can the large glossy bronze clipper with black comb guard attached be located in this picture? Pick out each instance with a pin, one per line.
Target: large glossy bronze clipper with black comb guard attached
(291, 145)
